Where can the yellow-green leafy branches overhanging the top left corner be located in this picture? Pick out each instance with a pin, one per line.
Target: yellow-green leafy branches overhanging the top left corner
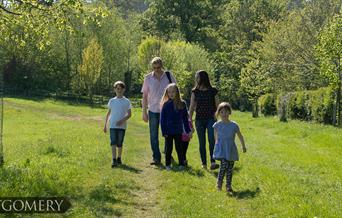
(22, 20)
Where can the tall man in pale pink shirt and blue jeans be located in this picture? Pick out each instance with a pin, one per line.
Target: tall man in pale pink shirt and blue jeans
(153, 90)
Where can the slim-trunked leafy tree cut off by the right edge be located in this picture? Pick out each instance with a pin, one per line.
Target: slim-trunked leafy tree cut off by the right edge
(329, 53)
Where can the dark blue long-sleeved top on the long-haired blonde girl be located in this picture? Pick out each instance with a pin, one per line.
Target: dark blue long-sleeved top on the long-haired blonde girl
(172, 120)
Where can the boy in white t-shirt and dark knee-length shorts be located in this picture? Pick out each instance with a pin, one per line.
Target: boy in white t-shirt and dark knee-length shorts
(119, 111)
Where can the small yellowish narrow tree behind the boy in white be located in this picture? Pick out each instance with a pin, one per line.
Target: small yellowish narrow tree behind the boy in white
(90, 69)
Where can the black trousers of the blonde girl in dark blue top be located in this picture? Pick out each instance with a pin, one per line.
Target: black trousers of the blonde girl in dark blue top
(169, 146)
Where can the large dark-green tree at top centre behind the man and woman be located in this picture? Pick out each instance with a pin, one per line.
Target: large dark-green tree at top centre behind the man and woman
(191, 20)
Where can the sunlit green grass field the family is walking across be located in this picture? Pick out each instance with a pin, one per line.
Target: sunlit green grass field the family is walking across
(53, 148)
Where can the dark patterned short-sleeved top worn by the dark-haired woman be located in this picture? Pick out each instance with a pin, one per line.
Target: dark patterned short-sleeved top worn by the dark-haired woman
(205, 100)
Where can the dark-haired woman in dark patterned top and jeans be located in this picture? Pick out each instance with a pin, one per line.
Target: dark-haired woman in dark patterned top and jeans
(204, 100)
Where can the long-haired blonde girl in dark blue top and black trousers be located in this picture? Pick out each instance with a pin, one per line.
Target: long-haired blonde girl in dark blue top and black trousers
(173, 116)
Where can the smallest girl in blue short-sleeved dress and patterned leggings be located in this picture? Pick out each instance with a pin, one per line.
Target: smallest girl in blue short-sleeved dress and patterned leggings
(225, 148)
